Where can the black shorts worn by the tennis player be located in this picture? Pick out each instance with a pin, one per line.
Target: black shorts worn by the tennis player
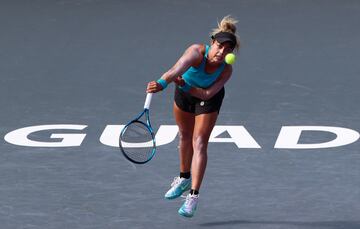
(194, 105)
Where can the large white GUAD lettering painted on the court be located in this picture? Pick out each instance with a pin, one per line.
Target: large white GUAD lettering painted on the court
(288, 136)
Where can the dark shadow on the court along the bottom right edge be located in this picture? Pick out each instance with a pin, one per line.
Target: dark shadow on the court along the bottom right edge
(298, 224)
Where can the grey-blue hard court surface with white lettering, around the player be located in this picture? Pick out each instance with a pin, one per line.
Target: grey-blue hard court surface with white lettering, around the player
(283, 155)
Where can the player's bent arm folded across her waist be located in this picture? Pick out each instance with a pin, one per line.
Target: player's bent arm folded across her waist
(207, 93)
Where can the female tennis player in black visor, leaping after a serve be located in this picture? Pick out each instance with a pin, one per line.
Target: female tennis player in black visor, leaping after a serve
(200, 75)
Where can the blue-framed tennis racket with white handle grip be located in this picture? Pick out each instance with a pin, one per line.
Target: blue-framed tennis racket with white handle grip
(137, 138)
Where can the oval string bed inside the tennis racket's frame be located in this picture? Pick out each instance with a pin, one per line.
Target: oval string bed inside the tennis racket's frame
(137, 142)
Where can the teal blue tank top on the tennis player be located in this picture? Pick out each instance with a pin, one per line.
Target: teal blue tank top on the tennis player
(197, 77)
